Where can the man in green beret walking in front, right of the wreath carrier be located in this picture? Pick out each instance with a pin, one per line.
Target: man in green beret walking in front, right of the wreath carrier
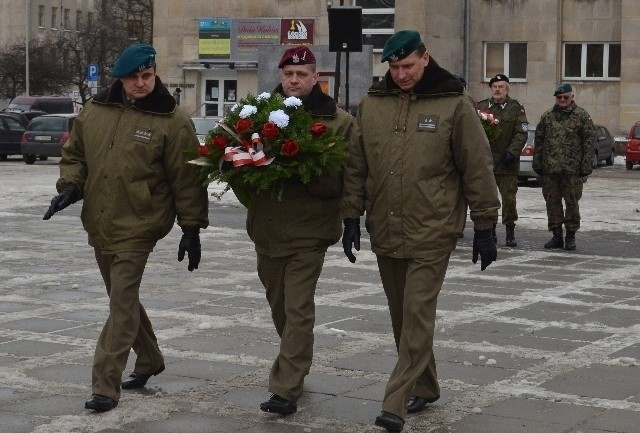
(417, 158)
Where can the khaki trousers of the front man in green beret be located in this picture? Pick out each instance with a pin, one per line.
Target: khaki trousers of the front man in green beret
(412, 287)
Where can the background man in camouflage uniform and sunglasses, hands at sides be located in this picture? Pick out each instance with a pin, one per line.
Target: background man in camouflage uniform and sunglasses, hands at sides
(565, 143)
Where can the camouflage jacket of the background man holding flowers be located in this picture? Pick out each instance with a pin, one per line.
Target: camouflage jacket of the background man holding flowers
(513, 132)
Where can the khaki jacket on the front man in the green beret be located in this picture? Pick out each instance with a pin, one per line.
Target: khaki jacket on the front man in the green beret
(416, 160)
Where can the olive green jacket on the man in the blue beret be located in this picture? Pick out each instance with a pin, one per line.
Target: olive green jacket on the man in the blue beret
(129, 162)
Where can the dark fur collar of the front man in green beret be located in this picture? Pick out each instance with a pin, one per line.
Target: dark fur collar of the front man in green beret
(434, 81)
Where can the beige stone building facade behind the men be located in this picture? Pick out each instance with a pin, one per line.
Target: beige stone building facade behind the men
(592, 44)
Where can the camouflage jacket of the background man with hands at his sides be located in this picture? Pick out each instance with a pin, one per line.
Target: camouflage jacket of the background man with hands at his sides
(565, 142)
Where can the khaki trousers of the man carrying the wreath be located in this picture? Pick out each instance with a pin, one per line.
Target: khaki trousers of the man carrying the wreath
(290, 284)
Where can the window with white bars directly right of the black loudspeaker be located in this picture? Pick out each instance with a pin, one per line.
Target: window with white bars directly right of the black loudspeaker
(378, 21)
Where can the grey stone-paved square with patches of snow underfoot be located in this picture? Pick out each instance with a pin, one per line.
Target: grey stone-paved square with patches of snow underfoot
(540, 342)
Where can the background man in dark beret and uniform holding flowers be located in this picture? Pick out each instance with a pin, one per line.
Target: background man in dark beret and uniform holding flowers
(506, 148)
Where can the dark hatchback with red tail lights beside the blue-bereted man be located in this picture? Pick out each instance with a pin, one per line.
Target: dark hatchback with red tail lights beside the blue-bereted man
(45, 136)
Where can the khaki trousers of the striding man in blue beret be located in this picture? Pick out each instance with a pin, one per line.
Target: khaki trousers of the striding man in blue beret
(127, 326)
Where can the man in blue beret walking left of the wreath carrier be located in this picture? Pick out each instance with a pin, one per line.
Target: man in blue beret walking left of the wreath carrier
(126, 158)
